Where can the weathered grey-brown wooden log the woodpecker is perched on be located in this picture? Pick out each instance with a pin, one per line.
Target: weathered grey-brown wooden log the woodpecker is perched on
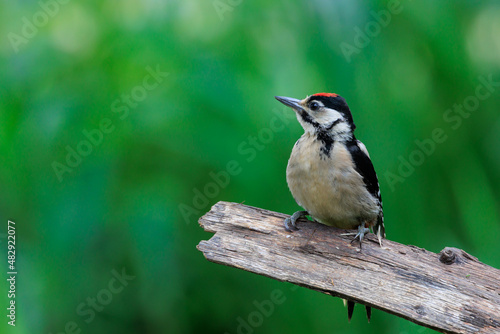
(451, 292)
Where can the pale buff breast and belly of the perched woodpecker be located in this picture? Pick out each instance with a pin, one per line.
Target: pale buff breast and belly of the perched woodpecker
(329, 187)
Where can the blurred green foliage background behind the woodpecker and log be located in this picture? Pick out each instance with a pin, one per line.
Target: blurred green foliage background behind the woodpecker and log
(72, 70)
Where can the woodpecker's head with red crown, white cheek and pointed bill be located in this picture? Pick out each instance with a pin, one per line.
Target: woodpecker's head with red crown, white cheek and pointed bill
(323, 112)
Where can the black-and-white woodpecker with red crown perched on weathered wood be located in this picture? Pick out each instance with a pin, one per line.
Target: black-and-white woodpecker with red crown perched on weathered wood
(330, 173)
